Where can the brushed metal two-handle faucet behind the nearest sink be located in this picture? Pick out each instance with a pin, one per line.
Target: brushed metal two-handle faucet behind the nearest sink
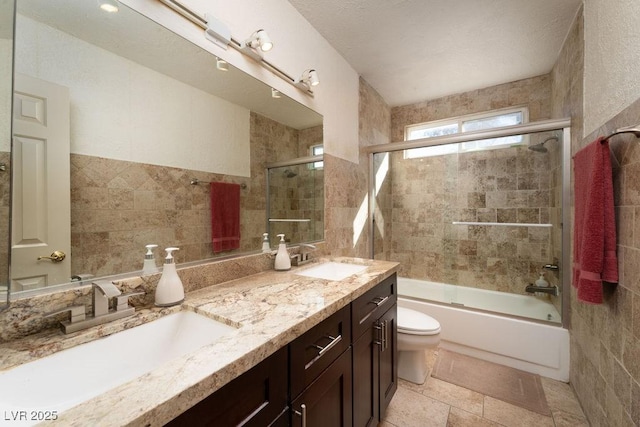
(103, 294)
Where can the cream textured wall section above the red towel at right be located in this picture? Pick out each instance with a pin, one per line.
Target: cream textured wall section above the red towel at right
(612, 59)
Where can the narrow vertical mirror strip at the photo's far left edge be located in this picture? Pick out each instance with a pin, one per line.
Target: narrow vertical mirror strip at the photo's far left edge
(6, 61)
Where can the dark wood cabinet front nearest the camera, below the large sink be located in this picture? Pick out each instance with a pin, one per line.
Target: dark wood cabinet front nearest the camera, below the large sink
(256, 398)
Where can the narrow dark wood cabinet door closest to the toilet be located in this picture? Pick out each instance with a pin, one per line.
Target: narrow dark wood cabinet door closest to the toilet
(388, 358)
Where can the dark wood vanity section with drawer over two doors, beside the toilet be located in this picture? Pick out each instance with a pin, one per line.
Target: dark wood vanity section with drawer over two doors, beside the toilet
(375, 377)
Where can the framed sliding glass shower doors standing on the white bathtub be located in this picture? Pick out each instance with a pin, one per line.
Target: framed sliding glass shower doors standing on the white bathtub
(486, 210)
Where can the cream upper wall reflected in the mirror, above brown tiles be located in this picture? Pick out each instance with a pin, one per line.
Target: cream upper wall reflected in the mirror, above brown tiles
(122, 110)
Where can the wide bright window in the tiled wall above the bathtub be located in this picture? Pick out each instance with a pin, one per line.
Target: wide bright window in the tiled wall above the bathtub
(470, 123)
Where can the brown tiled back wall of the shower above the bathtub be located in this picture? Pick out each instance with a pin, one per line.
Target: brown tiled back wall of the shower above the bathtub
(504, 185)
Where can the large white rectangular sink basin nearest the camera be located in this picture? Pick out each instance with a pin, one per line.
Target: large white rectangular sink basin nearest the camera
(64, 379)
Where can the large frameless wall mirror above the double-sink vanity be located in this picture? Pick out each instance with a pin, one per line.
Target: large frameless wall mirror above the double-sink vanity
(152, 119)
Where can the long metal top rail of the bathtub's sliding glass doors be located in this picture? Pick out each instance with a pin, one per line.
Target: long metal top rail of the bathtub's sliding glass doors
(541, 126)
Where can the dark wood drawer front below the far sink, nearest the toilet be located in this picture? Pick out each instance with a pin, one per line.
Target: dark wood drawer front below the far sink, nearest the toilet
(370, 306)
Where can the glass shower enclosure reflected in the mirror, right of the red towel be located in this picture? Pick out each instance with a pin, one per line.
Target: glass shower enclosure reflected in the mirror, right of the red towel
(295, 200)
